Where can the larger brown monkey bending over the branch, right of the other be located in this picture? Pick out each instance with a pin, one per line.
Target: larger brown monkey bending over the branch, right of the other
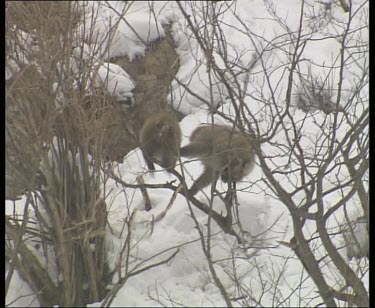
(223, 151)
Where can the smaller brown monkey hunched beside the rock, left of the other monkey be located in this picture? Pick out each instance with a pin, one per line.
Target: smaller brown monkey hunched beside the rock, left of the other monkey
(160, 139)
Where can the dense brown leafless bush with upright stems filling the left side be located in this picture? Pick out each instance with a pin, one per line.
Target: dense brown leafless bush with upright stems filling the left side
(53, 145)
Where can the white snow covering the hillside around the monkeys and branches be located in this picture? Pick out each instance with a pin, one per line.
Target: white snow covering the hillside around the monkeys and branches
(266, 266)
